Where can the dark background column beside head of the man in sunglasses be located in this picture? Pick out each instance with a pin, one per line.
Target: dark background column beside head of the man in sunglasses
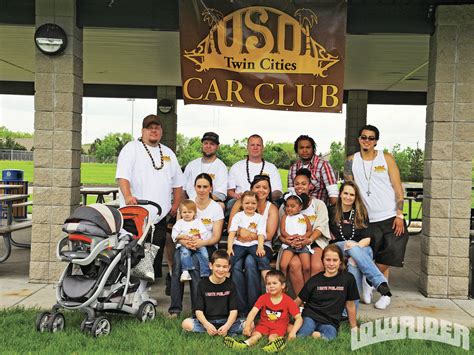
(356, 117)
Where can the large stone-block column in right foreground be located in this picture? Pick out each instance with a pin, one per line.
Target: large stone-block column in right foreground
(448, 155)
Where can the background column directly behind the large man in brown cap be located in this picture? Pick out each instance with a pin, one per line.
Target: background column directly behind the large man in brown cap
(169, 120)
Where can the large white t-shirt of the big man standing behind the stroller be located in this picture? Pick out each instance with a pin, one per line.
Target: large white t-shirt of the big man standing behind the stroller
(147, 183)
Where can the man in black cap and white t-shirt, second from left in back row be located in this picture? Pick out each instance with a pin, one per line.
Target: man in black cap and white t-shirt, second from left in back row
(210, 164)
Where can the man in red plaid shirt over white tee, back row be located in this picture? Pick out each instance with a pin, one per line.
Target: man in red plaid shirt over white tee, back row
(323, 181)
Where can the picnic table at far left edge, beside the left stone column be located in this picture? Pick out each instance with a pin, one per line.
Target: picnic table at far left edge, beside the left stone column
(7, 229)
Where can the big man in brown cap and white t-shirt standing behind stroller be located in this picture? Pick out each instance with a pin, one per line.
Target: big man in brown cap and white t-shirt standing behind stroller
(148, 170)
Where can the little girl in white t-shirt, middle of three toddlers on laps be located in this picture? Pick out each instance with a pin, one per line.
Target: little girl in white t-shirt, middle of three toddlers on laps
(248, 222)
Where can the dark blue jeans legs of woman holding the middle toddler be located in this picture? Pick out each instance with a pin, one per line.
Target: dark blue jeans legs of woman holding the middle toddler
(246, 277)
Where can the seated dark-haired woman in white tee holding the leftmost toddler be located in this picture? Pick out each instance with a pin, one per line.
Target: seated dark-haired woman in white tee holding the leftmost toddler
(211, 215)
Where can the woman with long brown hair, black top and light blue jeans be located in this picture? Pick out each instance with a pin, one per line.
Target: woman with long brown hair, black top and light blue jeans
(348, 225)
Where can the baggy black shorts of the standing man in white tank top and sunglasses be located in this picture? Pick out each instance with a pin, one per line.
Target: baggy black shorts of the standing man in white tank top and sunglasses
(388, 248)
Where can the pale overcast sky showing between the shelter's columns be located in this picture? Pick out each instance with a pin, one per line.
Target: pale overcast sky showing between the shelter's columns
(397, 124)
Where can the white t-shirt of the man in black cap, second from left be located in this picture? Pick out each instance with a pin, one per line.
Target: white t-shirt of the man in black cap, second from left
(218, 172)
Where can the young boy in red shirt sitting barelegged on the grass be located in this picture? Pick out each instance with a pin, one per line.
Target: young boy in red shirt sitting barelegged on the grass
(275, 307)
